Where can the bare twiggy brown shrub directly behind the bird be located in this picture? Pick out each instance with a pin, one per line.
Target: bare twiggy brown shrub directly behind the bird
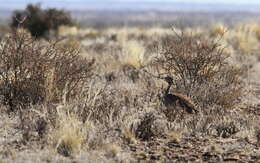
(201, 70)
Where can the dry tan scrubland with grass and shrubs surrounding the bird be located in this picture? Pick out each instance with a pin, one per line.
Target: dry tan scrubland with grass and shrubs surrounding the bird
(95, 95)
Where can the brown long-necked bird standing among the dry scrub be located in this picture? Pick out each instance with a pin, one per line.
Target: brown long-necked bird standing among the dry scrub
(177, 100)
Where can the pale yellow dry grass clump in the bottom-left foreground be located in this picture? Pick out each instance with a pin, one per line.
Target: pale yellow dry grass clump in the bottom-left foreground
(70, 133)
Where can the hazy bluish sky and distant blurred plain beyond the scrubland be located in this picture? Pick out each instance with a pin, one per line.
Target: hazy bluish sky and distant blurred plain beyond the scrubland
(180, 13)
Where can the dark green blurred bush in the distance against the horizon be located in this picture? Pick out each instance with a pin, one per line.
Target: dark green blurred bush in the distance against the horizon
(39, 21)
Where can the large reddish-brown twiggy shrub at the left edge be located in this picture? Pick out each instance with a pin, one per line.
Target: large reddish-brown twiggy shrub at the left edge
(33, 72)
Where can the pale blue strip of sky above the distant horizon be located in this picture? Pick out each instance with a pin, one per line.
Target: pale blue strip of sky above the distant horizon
(136, 4)
